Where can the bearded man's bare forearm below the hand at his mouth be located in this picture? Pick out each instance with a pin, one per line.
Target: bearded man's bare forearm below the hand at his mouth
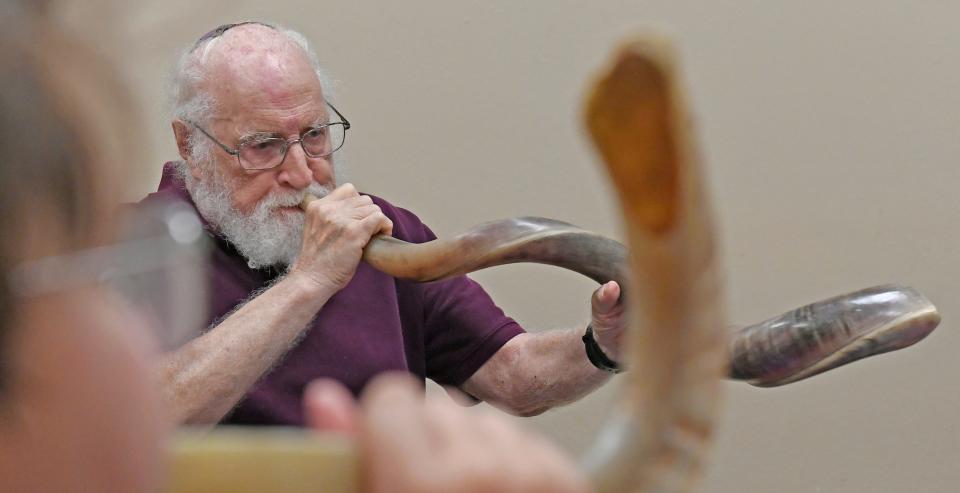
(205, 378)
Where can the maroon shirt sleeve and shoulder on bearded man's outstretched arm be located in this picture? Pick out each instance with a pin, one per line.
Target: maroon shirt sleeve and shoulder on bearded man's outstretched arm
(462, 326)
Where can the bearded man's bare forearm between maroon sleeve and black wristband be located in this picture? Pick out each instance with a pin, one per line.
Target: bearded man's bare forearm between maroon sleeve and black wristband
(535, 372)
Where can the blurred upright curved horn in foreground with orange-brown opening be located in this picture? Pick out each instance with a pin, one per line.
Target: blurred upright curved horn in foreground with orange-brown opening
(676, 344)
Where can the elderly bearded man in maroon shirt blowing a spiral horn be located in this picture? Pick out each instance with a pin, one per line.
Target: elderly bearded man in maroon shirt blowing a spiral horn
(291, 300)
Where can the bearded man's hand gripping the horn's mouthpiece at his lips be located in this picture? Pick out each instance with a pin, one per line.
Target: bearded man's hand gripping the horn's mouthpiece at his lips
(336, 229)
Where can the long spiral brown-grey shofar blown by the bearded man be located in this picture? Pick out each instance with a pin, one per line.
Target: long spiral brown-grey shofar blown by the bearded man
(793, 346)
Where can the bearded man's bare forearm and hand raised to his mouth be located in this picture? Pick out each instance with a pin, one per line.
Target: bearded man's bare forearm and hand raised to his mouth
(206, 377)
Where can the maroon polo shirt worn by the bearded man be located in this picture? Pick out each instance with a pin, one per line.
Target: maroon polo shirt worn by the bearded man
(442, 330)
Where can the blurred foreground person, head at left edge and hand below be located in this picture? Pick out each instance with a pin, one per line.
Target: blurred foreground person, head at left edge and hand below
(79, 410)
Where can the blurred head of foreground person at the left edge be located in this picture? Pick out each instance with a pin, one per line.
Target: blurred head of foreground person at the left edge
(77, 408)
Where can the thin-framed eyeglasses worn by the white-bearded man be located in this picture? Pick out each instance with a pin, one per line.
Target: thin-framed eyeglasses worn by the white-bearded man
(263, 152)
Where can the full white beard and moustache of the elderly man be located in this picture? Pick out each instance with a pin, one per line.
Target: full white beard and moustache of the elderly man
(266, 236)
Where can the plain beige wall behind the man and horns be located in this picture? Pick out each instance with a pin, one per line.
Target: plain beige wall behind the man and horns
(831, 135)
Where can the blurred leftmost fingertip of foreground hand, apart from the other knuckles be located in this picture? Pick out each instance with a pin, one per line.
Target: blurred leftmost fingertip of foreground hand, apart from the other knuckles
(329, 406)
